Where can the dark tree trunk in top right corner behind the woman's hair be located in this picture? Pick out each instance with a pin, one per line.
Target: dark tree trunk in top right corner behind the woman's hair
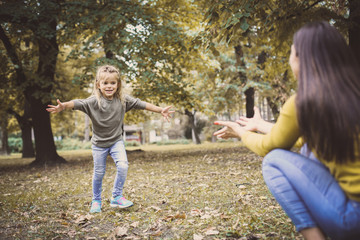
(354, 30)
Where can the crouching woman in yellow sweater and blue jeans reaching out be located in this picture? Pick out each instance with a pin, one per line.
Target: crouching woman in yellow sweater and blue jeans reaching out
(319, 189)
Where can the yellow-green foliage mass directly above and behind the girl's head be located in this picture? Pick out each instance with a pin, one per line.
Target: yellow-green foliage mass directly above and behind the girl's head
(150, 42)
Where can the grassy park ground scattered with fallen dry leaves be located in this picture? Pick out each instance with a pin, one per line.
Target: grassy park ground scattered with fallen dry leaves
(211, 191)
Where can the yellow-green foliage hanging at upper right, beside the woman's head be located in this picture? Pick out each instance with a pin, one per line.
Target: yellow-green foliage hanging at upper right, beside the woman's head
(263, 31)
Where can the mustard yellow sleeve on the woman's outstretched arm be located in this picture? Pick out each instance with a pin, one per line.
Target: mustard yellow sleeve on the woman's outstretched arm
(284, 133)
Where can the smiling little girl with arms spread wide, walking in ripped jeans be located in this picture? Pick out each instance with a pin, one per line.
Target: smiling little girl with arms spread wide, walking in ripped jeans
(106, 108)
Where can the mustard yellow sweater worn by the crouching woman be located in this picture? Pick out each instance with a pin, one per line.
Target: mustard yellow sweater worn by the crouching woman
(284, 135)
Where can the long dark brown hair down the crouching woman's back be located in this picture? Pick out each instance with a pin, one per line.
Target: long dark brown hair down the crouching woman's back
(328, 98)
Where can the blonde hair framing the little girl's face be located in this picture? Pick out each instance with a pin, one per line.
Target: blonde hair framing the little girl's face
(102, 74)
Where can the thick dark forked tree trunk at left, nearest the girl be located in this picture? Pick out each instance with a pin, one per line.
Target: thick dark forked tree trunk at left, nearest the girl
(39, 88)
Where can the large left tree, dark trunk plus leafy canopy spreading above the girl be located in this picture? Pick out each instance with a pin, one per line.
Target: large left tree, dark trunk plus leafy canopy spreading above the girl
(145, 40)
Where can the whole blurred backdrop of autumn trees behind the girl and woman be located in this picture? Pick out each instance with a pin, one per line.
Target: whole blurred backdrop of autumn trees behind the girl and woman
(209, 59)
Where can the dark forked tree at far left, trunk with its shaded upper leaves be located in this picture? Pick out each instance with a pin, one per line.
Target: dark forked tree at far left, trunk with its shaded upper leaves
(39, 20)
